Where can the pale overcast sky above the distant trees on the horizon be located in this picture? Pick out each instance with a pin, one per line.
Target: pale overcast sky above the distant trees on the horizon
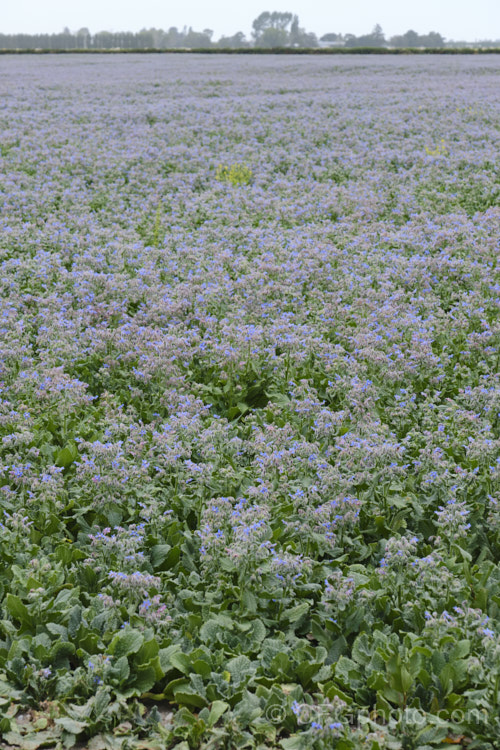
(454, 19)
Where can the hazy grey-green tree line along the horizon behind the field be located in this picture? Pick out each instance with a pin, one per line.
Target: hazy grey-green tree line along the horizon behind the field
(269, 30)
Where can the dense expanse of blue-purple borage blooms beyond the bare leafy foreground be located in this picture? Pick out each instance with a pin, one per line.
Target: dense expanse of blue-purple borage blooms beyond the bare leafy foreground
(268, 365)
